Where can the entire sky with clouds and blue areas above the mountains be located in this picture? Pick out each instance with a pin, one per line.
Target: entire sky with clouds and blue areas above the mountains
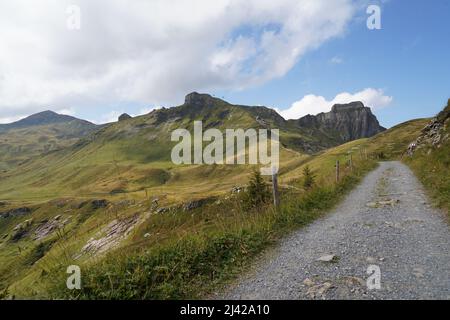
(98, 59)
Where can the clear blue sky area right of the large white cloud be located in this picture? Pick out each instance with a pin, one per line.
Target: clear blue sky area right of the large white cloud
(408, 58)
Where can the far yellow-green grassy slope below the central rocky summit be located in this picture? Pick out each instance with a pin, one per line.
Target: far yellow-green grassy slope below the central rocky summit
(131, 159)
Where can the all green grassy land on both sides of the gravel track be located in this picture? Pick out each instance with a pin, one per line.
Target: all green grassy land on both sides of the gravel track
(183, 232)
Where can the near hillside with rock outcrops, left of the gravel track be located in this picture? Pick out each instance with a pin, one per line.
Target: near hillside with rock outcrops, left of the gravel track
(214, 238)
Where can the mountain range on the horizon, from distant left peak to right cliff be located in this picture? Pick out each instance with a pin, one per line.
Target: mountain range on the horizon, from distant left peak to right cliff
(48, 131)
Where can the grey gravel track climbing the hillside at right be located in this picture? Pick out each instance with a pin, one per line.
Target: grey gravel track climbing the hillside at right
(384, 241)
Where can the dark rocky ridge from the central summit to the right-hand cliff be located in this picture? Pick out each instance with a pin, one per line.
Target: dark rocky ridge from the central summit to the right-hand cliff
(344, 123)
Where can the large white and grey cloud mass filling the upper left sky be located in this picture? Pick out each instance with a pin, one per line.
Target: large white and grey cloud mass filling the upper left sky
(152, 52)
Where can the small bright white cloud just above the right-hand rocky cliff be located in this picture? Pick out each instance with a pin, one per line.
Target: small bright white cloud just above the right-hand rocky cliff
(312, 104)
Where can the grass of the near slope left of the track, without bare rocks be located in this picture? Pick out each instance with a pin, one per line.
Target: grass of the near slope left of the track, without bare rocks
(187, 254)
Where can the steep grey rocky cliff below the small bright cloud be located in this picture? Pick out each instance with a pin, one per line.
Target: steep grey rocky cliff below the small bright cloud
(345, 122)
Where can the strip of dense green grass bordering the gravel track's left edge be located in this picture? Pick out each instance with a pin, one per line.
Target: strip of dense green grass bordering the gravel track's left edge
(198, 262)
